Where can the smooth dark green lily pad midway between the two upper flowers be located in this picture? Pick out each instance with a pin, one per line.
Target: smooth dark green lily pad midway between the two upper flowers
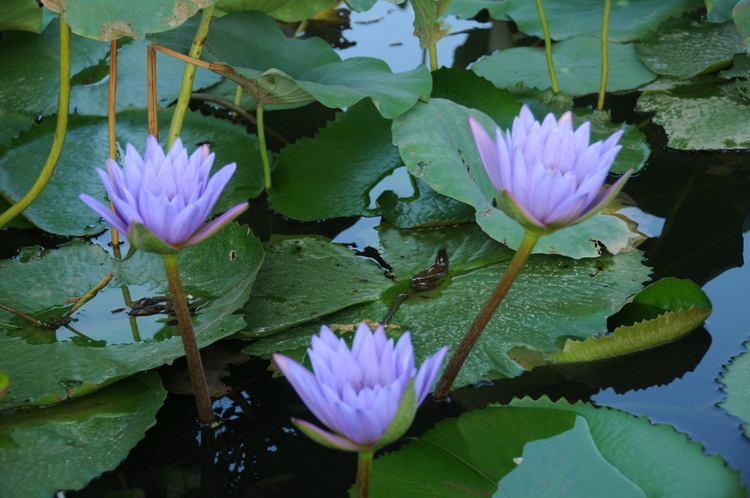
(331, 176)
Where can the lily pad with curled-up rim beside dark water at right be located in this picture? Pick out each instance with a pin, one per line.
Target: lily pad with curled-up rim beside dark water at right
(680, 306)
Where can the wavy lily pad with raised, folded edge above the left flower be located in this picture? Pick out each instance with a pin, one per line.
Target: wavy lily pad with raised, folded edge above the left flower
(275, 69)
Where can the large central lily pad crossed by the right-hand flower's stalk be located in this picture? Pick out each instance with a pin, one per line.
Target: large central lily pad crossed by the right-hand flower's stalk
(530, 316)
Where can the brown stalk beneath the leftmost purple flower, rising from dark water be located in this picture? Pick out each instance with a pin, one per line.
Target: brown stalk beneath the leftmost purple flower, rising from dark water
(192, 353)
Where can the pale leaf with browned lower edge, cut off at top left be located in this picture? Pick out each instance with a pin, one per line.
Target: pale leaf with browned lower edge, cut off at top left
(105, 20)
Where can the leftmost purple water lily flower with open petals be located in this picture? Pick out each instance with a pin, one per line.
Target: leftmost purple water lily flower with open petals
(171, 196)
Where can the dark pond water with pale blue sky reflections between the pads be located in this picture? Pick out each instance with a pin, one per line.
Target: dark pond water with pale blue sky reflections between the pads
(693, 207)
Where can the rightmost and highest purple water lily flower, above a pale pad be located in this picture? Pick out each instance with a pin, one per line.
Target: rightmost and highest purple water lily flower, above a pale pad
(547, 175)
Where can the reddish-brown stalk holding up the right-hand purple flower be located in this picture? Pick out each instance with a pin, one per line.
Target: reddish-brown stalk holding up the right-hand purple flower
(480, 322)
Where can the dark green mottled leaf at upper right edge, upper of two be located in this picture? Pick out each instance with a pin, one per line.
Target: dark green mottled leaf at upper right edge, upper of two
(690, 47)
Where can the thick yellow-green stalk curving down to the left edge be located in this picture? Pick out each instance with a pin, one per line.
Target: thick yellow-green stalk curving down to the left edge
(63, 104)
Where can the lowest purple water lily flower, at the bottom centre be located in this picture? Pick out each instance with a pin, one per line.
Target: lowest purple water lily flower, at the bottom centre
(366, 395)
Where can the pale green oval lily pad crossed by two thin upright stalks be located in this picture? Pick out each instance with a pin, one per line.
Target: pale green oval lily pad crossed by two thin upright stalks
(577, 66)
